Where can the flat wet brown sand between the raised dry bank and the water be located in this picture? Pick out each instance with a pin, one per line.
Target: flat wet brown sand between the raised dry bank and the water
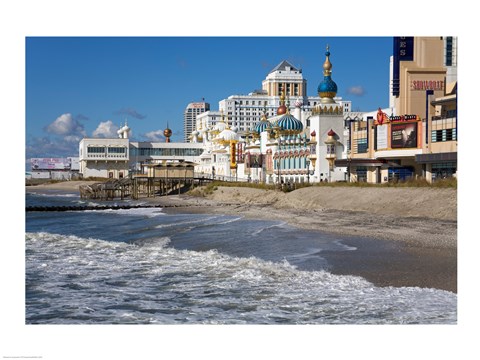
(391, 250)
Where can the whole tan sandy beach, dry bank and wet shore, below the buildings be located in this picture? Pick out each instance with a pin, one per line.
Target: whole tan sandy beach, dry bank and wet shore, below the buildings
(403, 236)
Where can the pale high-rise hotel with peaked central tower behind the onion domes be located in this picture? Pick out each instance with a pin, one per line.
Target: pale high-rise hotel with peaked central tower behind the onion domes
(245, 111)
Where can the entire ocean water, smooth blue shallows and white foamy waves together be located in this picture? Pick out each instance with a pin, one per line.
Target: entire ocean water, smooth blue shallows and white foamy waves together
(142, 266)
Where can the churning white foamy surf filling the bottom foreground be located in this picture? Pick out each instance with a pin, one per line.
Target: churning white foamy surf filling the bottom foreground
(168, 285)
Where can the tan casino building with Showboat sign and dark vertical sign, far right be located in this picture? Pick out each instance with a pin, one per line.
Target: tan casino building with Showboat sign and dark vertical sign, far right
(419, 138)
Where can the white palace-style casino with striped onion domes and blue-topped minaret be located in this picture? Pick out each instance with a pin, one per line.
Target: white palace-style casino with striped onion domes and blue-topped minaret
(292, 146)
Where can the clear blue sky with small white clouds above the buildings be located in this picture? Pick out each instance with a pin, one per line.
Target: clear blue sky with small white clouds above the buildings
(88, 86)
